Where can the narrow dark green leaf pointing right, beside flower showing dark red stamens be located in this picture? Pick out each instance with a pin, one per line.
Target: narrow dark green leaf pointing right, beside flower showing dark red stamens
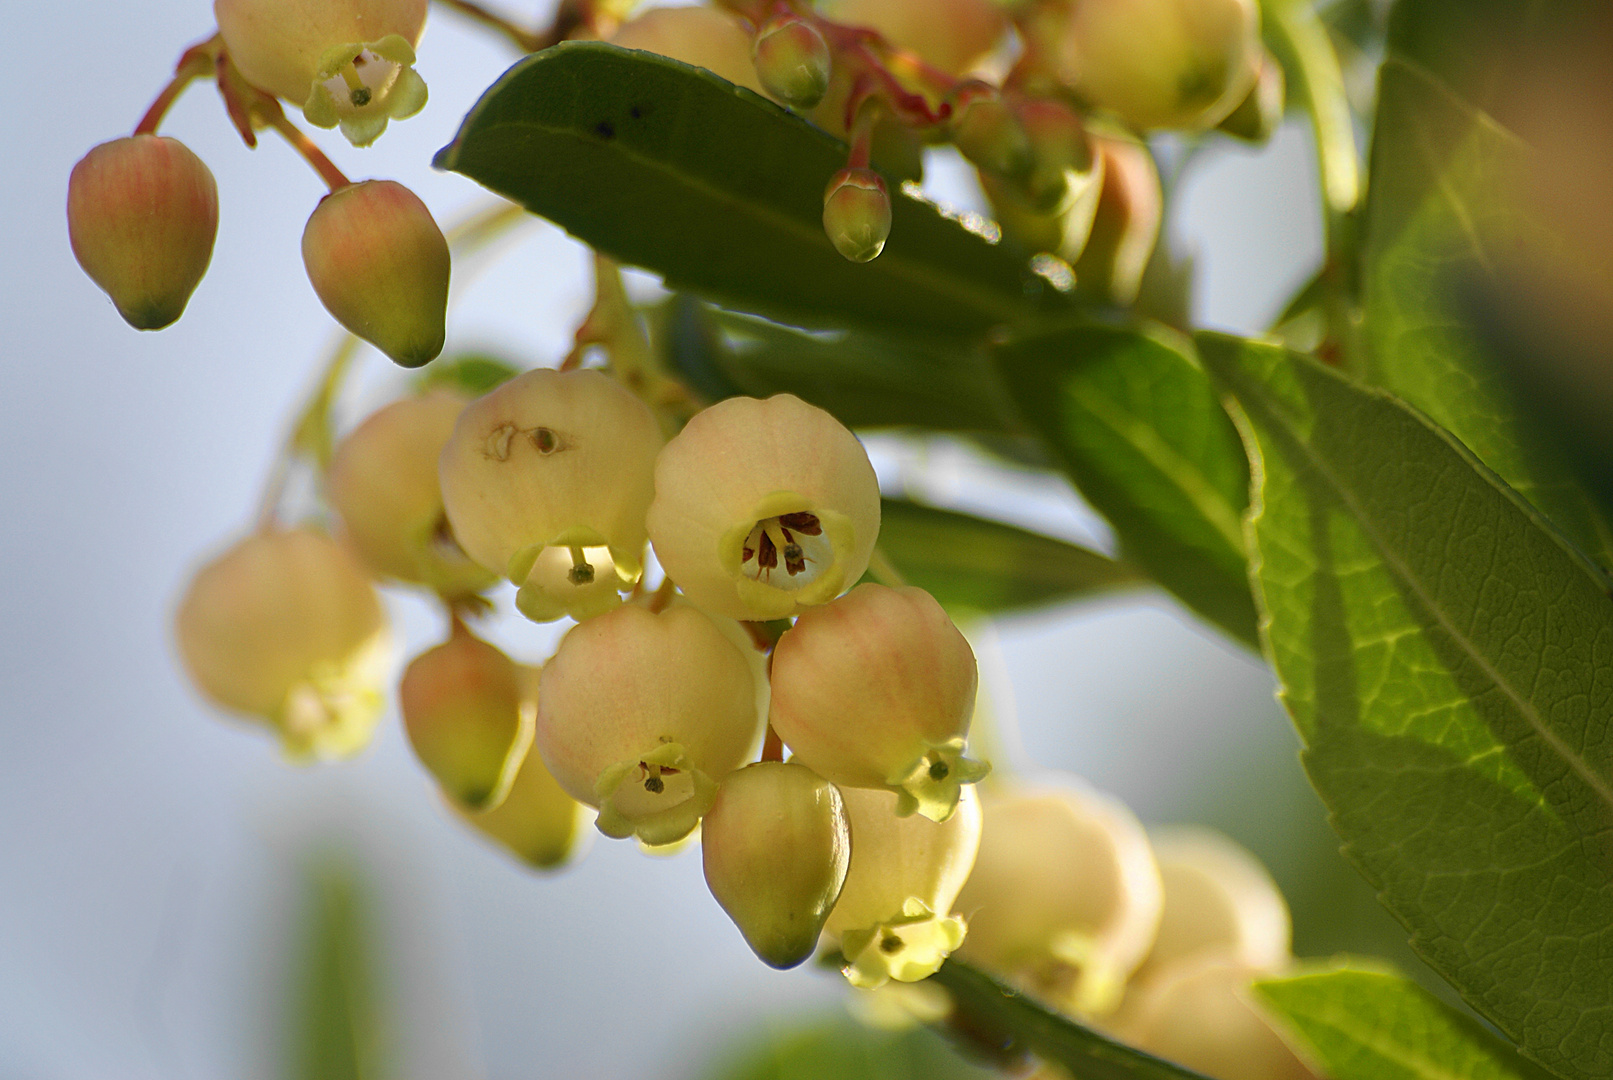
(969, 562)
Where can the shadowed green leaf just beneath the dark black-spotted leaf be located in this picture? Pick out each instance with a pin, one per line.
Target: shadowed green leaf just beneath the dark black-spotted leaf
(867, 381)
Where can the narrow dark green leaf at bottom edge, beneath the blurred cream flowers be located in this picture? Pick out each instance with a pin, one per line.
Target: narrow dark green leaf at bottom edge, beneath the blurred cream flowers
(1002, 1015)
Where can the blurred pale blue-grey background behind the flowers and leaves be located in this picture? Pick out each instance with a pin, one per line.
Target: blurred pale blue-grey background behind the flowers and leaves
(175, 900)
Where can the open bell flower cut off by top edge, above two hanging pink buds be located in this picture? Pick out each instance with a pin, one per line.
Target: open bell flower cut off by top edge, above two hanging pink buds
(344, 62)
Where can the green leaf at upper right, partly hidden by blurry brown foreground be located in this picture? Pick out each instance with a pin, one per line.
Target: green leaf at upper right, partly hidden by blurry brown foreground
(1440, 222)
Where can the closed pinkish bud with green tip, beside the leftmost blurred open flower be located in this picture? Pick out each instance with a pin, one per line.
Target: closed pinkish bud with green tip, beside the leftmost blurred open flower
(467, 718)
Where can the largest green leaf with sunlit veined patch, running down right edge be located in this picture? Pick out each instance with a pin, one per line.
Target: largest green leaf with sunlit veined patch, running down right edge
(1449, 667)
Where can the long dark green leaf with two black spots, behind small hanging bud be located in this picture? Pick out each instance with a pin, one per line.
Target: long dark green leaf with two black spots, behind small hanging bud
(669, 167)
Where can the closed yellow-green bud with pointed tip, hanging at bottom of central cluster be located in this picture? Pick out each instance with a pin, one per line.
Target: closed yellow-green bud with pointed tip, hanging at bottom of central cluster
(777, 847)
